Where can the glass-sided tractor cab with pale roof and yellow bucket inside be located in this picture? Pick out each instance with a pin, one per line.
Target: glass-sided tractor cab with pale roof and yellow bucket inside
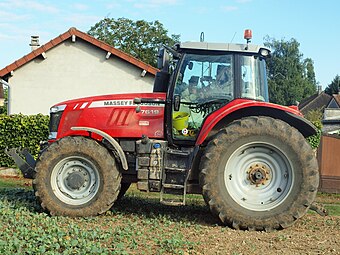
(204, 77)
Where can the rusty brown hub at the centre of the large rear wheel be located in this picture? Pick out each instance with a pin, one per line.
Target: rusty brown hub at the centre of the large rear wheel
(259, 174)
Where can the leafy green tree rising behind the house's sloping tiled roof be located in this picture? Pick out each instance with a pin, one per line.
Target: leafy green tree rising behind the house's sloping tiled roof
(139, 38)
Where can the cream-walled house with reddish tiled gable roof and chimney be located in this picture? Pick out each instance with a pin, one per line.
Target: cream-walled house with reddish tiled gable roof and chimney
(72, 65)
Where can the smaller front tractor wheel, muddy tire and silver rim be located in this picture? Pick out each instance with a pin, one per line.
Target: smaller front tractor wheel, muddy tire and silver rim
(76, 176)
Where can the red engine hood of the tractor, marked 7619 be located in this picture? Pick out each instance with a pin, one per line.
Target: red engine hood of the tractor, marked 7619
(115, 114)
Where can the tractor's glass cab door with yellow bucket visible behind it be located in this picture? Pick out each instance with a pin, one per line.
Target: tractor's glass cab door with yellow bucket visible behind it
(203, 84)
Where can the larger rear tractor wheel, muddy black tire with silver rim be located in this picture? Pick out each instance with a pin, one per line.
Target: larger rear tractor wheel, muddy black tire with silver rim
(259, 173)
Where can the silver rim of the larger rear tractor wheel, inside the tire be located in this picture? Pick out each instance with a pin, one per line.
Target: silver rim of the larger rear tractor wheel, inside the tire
(258, 176)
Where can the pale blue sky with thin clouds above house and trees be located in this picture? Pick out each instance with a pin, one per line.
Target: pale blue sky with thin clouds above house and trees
(315, 24)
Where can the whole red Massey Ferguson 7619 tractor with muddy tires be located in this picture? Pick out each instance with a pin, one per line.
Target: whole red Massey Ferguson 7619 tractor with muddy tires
(208, 128)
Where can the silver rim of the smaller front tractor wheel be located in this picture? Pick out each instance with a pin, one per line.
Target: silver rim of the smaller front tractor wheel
(75, 180)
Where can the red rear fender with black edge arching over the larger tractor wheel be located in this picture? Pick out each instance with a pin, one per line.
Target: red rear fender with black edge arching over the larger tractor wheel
(224, 116)
